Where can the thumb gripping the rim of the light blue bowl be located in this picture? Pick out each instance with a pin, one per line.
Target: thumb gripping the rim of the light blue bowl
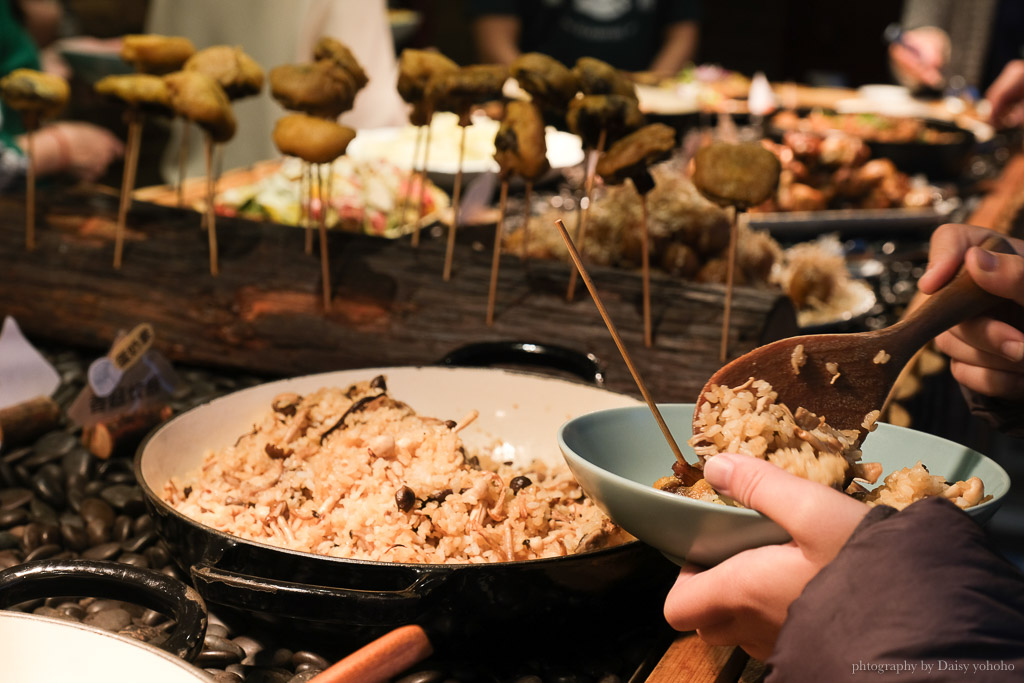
(819, 519)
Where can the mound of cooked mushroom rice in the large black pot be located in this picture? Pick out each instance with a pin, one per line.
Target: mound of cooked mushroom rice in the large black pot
(356, 474)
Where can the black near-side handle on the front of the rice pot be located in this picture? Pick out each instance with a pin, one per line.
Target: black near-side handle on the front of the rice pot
(315, 603)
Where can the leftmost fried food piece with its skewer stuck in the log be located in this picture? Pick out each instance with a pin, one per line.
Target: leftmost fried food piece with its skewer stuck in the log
(35, 96)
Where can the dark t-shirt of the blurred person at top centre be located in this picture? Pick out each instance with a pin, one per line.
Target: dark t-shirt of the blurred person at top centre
(627, 34)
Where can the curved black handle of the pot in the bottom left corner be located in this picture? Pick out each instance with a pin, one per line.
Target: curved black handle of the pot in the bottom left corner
(115, 581)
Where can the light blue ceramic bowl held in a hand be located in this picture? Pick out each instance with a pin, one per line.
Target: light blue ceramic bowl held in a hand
(617, 455)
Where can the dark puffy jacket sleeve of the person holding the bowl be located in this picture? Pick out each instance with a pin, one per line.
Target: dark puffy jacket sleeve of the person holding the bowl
(920, 588)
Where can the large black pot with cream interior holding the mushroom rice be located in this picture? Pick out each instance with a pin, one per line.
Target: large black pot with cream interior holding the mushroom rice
(531, 604)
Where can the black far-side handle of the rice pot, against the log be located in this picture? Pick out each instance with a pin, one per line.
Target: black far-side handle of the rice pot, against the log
(479, 355)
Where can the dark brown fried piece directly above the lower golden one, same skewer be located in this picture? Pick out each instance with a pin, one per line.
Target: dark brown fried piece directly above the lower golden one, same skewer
(321, 90)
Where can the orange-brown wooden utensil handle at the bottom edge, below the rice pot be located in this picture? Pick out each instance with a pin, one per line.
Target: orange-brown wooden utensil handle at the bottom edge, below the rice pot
(381, 660)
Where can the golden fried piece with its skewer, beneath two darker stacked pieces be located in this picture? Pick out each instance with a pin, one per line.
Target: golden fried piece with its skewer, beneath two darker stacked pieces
(318, 142)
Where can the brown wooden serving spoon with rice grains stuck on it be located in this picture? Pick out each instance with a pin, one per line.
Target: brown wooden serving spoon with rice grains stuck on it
(868, 364)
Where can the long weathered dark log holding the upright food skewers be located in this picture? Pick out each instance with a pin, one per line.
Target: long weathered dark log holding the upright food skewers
(264, 314)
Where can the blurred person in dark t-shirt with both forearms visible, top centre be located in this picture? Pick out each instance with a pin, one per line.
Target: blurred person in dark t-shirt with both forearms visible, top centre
(656, 36)
